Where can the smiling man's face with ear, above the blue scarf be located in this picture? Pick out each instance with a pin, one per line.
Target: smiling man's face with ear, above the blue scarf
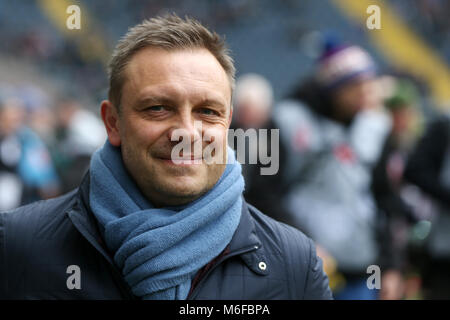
(165, 92)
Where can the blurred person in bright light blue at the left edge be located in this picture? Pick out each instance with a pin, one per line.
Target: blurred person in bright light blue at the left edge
(26, 168)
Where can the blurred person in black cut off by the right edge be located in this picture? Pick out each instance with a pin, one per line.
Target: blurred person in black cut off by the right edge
(429, 169)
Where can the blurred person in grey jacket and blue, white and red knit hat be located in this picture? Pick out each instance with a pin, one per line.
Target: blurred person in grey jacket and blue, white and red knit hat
(335, 126)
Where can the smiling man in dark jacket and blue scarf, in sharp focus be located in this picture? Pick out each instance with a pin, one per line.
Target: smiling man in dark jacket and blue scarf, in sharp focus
(144, 226)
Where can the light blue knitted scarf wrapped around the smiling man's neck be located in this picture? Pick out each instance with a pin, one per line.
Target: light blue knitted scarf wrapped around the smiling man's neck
(159, 250)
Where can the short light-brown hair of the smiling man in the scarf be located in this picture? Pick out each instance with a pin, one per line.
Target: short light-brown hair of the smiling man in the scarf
(168, 32)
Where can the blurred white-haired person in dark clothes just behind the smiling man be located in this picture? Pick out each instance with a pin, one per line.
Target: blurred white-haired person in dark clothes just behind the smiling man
(252, 110)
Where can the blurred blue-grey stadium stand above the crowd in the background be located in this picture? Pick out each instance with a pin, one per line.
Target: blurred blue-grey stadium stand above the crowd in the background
(277, 39)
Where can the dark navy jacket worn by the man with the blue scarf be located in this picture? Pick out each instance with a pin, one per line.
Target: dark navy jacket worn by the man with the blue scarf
(39, 242)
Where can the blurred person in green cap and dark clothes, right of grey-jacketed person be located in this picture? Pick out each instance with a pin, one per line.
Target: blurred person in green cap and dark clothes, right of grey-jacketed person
(388, 185)
